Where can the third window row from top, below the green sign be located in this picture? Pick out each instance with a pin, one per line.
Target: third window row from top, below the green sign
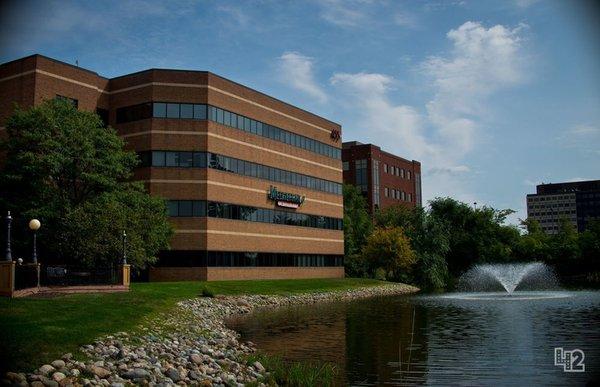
(202, 208)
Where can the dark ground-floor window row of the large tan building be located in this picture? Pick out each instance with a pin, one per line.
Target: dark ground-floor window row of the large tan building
(190, 258)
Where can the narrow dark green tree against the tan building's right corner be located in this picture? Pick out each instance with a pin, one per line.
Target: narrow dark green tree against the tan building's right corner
(357, 227)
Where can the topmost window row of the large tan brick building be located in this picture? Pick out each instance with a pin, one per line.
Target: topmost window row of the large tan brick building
(224, 117)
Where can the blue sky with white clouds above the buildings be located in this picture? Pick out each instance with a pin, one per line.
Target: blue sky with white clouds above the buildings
(492, 97)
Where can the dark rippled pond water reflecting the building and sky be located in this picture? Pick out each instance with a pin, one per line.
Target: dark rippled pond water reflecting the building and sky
(437, 340)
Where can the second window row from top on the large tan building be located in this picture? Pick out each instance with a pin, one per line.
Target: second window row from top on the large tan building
(241, 167)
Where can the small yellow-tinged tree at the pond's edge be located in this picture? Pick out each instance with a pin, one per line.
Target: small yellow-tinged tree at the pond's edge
(390, 250)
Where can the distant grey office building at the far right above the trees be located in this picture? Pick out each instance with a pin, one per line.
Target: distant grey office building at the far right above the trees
(578, 202)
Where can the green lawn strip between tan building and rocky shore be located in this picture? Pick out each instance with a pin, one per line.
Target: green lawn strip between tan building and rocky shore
(34, 331)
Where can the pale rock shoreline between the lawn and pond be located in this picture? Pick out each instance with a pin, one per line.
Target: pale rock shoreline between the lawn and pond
(189, 346)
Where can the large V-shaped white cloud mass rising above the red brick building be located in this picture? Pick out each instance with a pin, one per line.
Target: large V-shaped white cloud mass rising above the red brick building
(441, 133)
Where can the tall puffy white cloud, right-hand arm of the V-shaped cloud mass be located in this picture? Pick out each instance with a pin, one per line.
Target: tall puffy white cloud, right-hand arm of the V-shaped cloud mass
(482, 61)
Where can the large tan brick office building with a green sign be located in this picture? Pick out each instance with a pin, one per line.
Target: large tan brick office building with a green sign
(253, 184)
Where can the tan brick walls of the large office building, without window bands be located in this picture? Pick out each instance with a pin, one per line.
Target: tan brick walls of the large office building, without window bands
(31, 80)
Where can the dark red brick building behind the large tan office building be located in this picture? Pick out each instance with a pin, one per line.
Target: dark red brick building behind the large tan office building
(385, 179)
